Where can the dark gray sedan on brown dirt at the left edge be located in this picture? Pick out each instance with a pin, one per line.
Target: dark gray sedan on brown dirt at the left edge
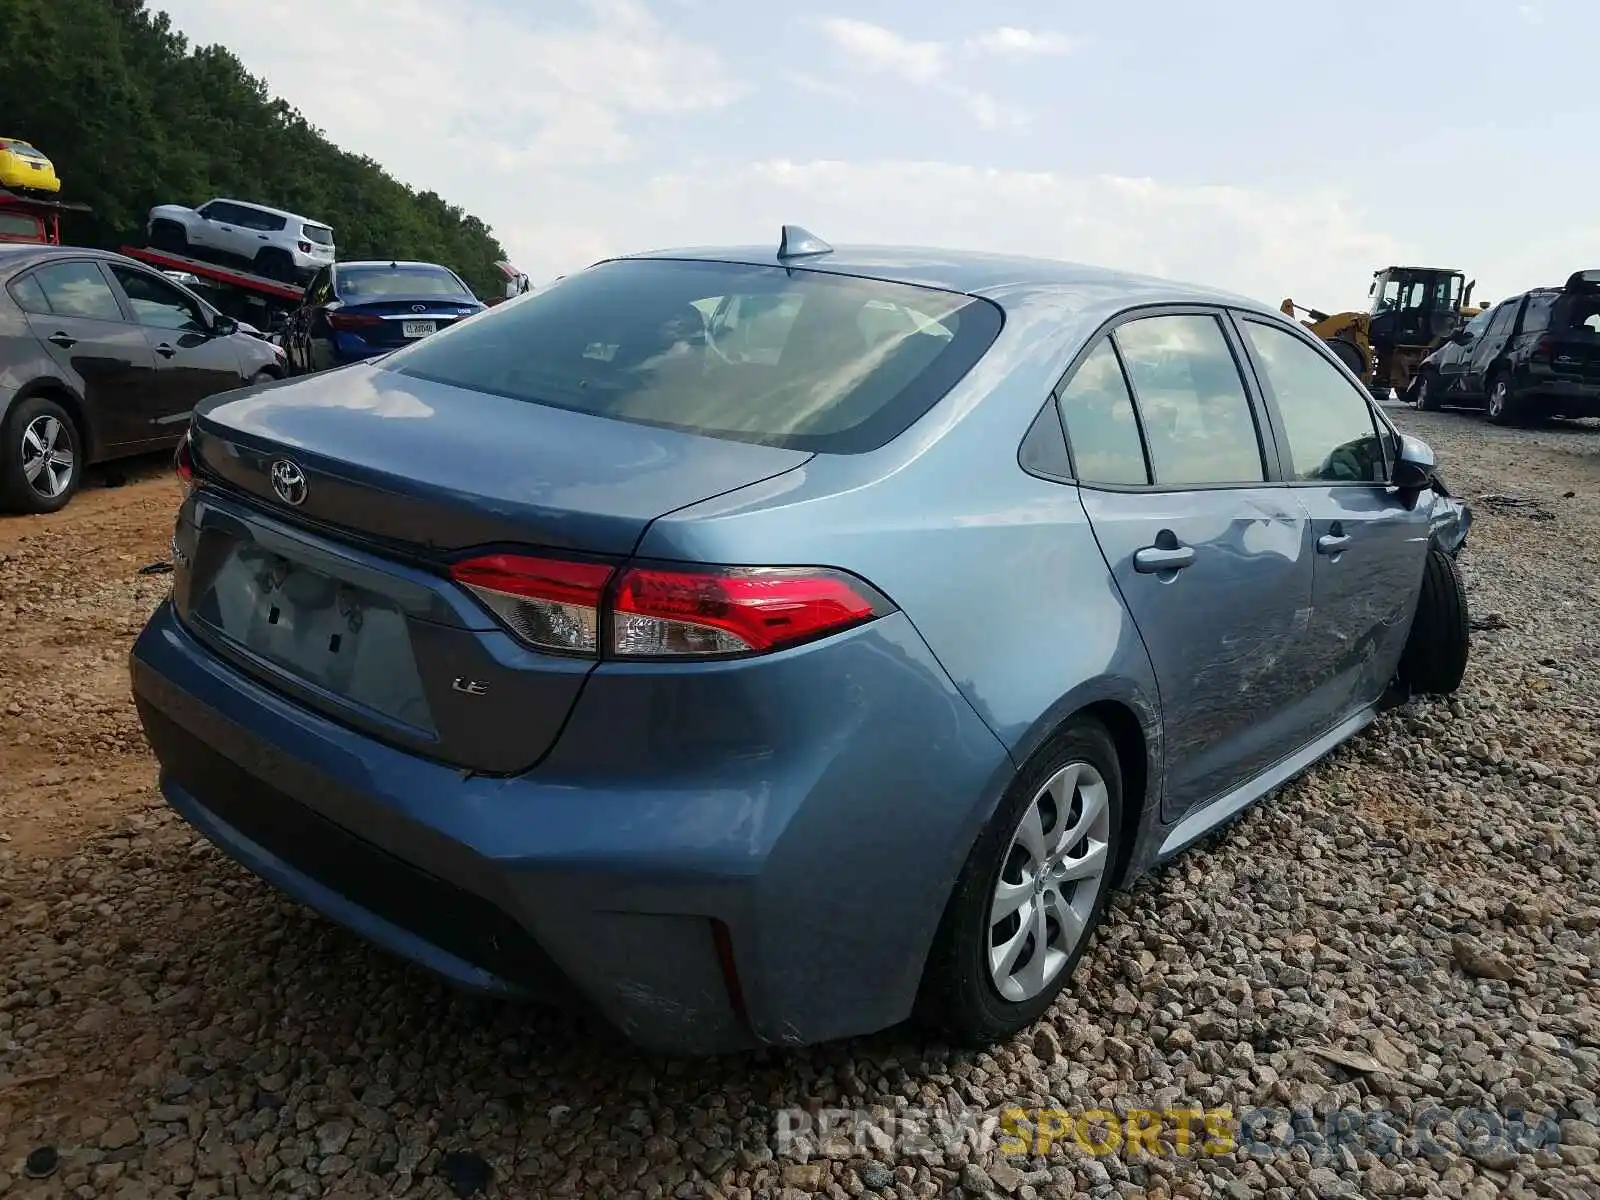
(100, 359)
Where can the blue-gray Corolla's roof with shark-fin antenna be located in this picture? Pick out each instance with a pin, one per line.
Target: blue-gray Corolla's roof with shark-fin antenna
(964, 271)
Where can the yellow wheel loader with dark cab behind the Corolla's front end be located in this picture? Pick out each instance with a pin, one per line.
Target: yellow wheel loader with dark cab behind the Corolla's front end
(1415, 310)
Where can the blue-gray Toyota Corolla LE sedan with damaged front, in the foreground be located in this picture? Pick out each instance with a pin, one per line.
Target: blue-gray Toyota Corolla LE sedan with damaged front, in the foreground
(769, 646)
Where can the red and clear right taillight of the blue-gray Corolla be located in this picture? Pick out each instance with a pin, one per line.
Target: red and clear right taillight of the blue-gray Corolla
(666, 612)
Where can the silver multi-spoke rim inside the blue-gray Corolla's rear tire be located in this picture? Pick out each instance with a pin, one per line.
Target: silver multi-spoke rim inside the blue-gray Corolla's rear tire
(1049, 882)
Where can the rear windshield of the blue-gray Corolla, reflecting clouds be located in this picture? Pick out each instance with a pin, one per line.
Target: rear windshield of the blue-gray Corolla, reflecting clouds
(775, 356)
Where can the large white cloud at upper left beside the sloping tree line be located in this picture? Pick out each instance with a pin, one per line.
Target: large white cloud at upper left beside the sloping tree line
(439, 90)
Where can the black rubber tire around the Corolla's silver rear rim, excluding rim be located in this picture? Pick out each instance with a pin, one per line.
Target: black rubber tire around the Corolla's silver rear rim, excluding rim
(959, 999)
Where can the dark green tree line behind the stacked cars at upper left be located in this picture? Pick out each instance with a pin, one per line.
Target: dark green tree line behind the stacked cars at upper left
(134, 116)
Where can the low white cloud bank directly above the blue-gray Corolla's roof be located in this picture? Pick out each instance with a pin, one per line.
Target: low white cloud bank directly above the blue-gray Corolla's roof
(1270, 246)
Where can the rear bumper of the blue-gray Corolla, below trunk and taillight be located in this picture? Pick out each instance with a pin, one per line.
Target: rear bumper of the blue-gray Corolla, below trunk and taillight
(604, 876)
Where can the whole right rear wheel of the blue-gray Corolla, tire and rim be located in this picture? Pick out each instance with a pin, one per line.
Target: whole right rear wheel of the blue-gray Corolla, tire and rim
(1031, 894)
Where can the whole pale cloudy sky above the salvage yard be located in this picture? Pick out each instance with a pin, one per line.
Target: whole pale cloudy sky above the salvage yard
(1278, 150)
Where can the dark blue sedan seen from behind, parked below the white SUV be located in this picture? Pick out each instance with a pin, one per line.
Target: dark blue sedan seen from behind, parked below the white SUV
(358, 311)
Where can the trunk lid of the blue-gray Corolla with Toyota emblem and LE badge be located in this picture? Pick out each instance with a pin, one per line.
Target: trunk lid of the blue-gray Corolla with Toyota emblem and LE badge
(319, 562)
